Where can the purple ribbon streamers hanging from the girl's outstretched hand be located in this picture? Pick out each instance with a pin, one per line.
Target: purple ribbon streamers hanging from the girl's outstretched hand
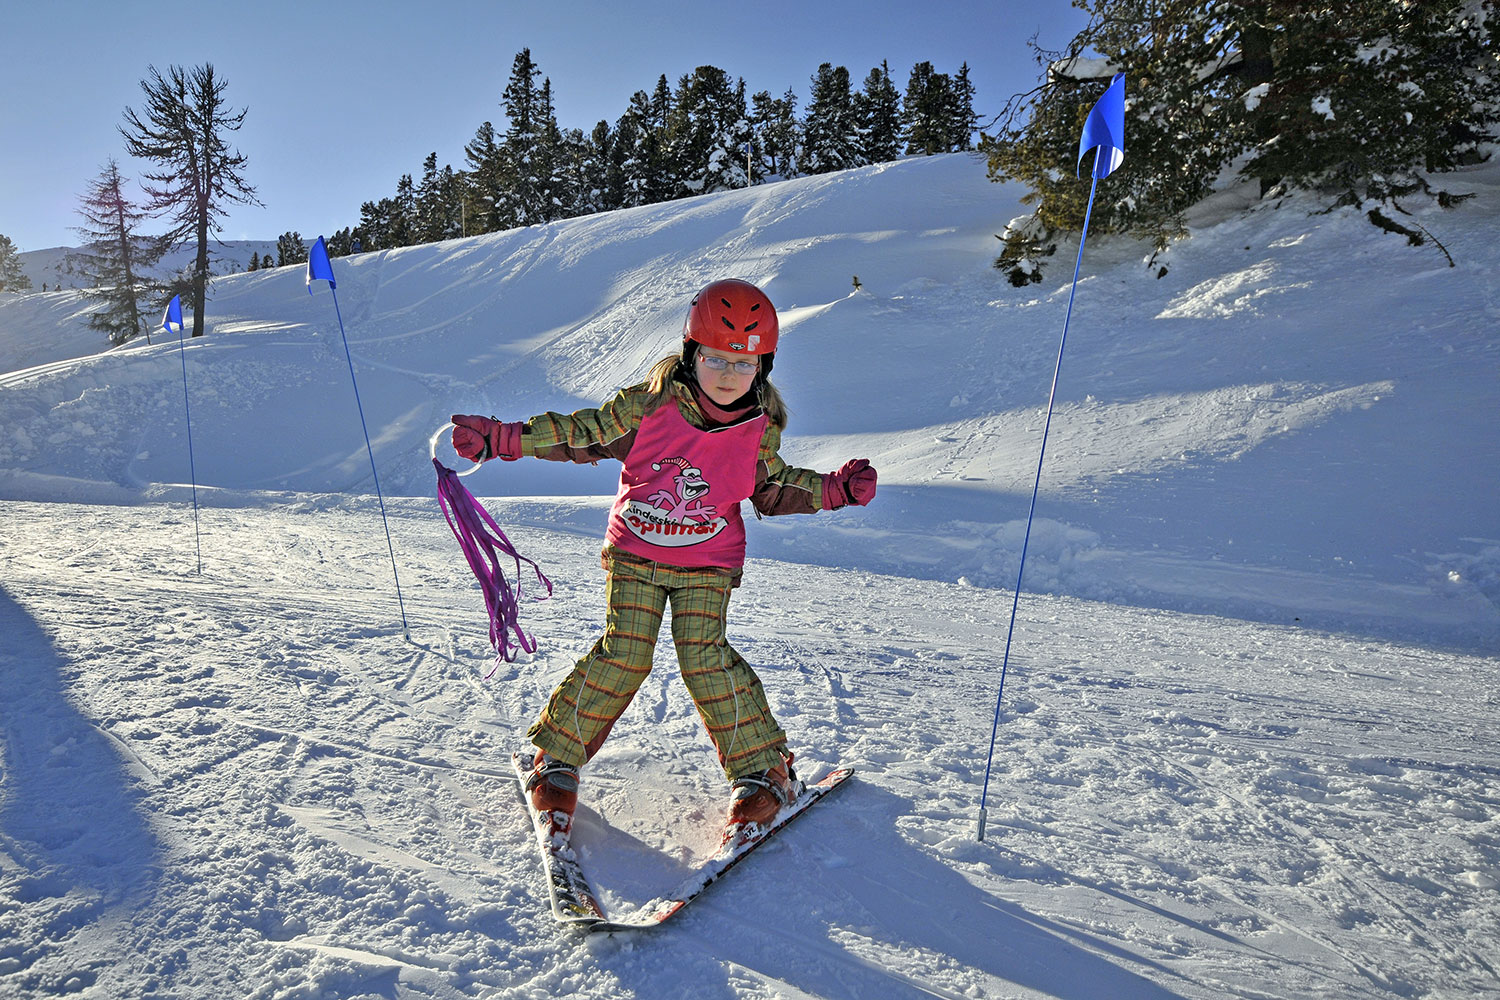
(484, 542)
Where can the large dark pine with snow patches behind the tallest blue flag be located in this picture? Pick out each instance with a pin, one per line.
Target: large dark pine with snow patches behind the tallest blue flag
(1358, 101)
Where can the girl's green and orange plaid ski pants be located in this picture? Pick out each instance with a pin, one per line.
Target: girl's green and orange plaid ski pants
(725, 689)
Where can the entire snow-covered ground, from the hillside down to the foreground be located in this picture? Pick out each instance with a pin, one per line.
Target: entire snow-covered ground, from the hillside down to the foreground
(1247, 741)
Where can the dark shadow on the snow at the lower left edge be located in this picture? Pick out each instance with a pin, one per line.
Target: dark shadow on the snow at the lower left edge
(73, 840)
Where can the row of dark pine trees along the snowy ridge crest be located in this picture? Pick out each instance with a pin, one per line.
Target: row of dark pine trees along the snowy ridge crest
(667, 145)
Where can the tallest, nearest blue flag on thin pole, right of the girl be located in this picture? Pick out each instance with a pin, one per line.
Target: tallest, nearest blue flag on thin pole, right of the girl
(1105, 133)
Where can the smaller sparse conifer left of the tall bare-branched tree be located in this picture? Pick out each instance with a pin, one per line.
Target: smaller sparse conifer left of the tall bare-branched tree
(116, 259)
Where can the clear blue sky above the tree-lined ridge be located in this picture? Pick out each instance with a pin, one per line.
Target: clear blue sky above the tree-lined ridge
(344, 97)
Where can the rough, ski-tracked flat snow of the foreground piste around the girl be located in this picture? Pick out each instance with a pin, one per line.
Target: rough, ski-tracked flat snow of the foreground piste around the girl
(257, 762)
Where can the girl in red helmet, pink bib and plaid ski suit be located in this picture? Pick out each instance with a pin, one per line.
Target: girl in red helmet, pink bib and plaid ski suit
(695, 440)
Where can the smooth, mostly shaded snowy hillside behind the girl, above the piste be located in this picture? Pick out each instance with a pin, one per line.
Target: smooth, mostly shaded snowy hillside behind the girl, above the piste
(1295, 424)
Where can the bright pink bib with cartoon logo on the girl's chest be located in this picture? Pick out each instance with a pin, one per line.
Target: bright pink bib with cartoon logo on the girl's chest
(680, 491)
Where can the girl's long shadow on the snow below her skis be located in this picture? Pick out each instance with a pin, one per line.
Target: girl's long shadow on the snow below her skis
(842, 905)
